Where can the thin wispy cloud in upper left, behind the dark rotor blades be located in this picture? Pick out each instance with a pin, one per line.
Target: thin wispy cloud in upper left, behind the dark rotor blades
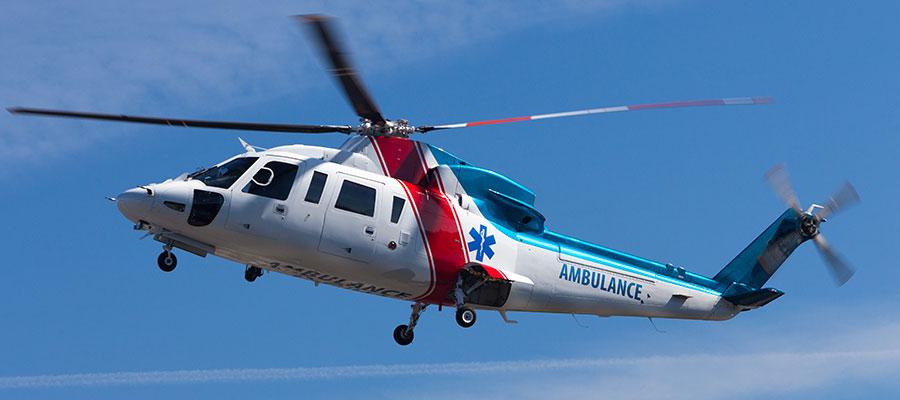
(198, 58)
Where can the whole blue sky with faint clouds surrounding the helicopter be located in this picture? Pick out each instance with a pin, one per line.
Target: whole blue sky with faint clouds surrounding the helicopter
(82, 295)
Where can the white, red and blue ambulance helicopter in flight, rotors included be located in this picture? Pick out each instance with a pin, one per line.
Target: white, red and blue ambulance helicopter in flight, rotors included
(390, 216)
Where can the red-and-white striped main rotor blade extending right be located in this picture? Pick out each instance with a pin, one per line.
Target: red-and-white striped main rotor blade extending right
(675, 104)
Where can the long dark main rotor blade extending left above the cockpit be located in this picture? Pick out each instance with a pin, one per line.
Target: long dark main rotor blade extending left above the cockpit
(188, 123)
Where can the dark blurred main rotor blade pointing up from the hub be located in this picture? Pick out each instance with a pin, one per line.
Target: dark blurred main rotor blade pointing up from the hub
(343, 71)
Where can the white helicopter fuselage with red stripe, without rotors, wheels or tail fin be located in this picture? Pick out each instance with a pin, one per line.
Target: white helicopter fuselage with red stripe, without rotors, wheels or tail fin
(345, 220)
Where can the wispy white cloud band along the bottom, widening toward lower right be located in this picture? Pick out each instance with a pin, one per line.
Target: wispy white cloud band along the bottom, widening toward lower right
(796, 364)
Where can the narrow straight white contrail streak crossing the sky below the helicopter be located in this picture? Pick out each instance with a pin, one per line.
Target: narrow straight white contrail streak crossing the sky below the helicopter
(431, 369)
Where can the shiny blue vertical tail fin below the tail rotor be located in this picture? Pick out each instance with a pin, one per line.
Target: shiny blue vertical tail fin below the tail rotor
(753, 267)
